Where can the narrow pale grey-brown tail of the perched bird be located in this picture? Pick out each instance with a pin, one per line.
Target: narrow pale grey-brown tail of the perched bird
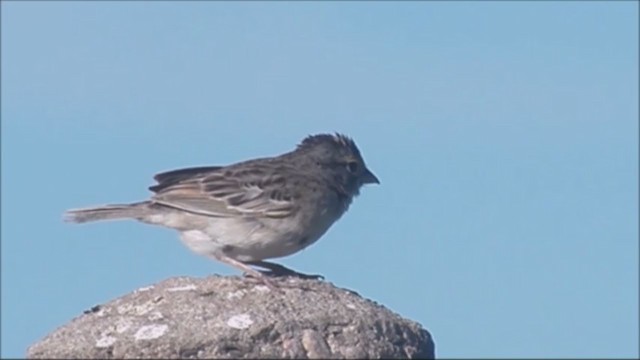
(108, 212)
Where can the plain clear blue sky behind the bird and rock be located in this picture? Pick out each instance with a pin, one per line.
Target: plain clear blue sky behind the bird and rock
(505, 135)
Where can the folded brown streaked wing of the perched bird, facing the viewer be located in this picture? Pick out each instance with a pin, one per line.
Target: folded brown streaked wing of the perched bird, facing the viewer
(224, 192)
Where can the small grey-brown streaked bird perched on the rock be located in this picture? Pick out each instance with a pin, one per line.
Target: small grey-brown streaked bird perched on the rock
(247, 212)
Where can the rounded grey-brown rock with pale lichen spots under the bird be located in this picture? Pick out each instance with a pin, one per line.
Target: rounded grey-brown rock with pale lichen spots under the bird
(235, 317)
